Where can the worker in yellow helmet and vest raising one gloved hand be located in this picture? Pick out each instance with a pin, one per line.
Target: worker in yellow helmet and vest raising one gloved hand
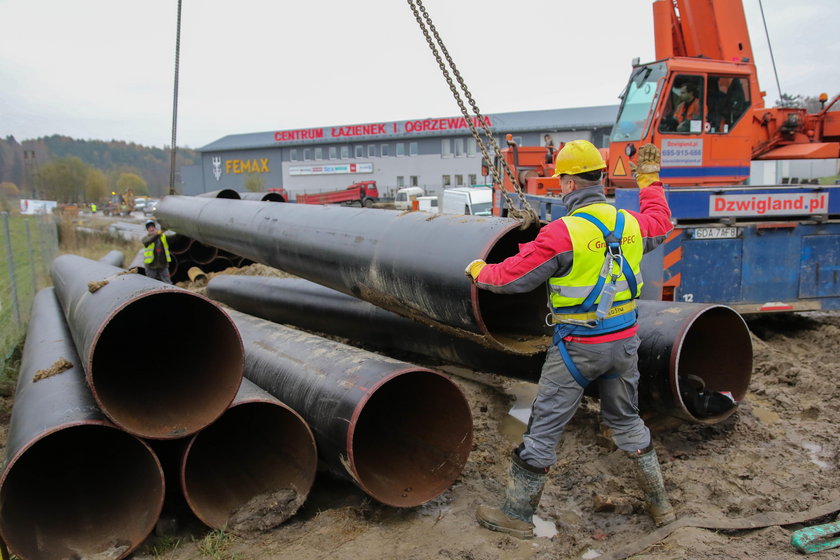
(590, 261)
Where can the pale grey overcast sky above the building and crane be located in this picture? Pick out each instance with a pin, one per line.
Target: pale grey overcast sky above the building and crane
(104, 69)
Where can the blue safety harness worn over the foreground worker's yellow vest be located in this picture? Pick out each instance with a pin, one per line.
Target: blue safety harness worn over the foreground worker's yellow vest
(607, 316)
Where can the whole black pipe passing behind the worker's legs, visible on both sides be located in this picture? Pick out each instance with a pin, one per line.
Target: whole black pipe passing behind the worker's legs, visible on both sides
(708, 341)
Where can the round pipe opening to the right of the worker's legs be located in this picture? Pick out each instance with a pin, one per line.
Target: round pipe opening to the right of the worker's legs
(714, 355)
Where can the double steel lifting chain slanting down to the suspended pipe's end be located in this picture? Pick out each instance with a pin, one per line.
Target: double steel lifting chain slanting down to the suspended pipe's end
(524, 211)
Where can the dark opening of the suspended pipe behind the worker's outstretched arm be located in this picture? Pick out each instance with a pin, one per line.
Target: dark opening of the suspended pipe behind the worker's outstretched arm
(510, 318)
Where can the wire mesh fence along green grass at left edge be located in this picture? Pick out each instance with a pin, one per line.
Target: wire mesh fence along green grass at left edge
(28, 244)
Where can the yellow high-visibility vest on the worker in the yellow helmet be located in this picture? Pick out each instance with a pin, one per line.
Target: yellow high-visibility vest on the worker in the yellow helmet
(568, 292)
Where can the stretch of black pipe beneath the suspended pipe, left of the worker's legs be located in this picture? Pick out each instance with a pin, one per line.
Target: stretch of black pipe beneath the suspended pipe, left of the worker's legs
(313, 307)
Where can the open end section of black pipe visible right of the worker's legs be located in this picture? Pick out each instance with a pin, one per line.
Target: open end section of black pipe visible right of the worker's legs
(689, 344)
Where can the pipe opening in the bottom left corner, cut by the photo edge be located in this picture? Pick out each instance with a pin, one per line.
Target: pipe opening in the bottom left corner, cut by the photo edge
(87, 491)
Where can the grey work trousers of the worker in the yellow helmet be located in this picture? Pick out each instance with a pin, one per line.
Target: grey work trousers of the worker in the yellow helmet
(614, 366)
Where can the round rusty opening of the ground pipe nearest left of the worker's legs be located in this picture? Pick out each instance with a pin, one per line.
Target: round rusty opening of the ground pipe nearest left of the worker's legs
(412, 439)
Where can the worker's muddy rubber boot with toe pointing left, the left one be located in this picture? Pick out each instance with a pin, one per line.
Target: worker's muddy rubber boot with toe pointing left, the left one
(522, 496)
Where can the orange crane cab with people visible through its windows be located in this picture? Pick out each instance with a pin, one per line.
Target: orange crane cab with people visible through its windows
(697, 111)
